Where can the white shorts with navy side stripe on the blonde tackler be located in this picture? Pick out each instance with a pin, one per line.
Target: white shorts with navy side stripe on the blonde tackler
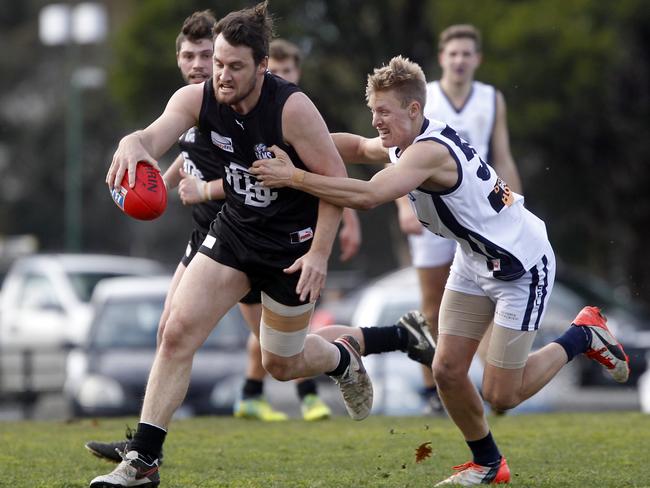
(519, 304)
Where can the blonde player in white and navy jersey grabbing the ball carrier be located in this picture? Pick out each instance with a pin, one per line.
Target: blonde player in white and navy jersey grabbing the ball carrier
(502, 272)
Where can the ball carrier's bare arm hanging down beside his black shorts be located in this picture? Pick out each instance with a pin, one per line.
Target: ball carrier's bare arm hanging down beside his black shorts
(305, 130)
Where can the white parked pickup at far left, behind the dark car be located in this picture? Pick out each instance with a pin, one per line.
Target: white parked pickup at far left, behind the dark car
(45, 297)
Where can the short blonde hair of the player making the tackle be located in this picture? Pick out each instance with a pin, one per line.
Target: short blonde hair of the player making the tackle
(402, 75)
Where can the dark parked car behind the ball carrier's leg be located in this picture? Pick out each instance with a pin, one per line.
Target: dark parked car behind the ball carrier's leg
(107, 375)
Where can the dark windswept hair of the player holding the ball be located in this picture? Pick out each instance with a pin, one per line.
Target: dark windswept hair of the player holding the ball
(251, 27)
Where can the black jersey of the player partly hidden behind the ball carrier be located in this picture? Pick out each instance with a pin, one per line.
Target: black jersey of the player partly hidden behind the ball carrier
(200, 160)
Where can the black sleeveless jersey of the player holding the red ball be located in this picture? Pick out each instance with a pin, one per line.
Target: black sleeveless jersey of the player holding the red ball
(278, 220)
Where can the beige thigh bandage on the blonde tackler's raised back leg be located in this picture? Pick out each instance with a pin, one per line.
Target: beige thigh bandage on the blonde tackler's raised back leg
(509, 348)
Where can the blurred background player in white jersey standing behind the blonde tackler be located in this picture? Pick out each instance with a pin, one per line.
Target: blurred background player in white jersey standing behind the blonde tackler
(477, 112)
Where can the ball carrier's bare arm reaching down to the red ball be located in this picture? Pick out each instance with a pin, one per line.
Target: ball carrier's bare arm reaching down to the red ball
(148, 145)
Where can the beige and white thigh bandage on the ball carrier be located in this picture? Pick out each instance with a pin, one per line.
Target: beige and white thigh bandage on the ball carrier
(283, 329)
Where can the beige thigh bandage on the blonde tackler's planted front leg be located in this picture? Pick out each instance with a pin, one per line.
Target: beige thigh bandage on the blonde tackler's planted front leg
(465, 315)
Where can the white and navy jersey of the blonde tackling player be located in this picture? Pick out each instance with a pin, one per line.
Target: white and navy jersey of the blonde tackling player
(489, 222)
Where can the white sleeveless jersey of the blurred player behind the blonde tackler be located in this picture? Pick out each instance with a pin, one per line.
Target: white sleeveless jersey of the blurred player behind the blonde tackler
(474, 121)
